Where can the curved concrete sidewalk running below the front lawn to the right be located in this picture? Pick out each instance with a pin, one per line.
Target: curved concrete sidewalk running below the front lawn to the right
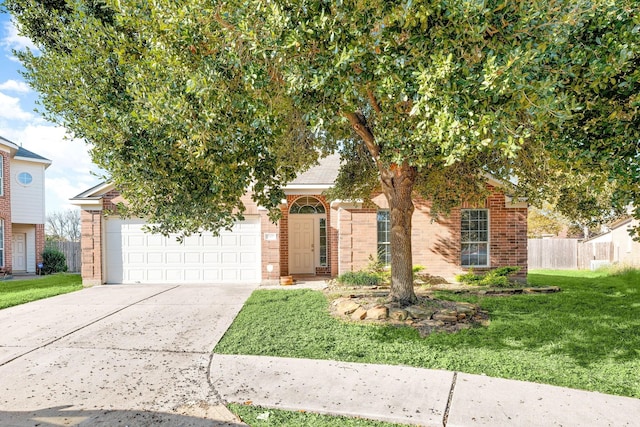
(411, 395)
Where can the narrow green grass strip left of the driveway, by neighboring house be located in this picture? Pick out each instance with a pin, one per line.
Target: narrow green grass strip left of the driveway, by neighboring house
(15, 292)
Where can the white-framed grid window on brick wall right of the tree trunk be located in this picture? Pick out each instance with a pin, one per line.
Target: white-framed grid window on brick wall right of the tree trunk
(474, 235)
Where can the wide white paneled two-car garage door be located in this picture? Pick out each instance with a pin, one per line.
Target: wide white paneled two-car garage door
(133, 256)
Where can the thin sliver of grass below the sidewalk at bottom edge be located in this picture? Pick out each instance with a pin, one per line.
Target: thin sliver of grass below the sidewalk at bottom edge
(278, 417)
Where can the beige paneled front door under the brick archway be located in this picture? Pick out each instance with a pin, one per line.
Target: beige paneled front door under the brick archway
(301, 244)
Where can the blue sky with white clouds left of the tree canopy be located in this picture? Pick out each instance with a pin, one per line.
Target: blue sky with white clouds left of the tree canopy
(71, 170)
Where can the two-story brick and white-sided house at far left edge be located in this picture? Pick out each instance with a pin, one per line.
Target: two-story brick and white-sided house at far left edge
(22, 208)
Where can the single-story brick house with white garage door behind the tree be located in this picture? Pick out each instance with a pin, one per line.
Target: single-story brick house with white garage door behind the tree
(313, 237)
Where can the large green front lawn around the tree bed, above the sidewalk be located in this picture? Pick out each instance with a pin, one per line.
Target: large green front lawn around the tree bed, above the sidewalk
(586, 337)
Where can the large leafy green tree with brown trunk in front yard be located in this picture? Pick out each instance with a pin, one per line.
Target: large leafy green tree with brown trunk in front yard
(190, 103)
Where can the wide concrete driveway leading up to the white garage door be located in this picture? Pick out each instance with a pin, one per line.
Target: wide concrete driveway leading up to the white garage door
(138, 354)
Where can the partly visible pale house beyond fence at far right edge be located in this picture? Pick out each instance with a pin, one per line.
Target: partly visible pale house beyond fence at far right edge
(623, 249)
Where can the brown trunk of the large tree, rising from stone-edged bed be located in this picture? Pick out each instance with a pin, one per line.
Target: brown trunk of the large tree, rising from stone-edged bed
(397, 186)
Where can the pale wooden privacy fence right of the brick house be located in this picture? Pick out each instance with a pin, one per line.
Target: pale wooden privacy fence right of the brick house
(568, 254)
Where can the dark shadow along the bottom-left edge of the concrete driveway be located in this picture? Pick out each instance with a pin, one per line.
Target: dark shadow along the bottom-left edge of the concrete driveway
(62, 415)
